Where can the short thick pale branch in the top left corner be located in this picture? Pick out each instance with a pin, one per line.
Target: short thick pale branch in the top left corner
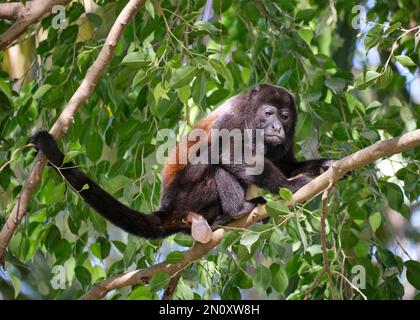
(25, 16)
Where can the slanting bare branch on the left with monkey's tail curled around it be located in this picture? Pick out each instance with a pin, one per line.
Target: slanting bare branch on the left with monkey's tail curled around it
(66, 118)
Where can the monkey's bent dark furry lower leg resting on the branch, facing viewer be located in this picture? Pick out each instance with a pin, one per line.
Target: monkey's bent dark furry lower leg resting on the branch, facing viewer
(232, 195)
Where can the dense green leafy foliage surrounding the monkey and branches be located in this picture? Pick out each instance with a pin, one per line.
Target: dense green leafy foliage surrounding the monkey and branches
(175, 63)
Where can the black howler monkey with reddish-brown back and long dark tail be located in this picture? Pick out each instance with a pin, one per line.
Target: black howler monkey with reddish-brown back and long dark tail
(210, 189)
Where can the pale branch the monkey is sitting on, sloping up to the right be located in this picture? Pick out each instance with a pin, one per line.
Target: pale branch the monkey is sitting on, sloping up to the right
(339, 169)
